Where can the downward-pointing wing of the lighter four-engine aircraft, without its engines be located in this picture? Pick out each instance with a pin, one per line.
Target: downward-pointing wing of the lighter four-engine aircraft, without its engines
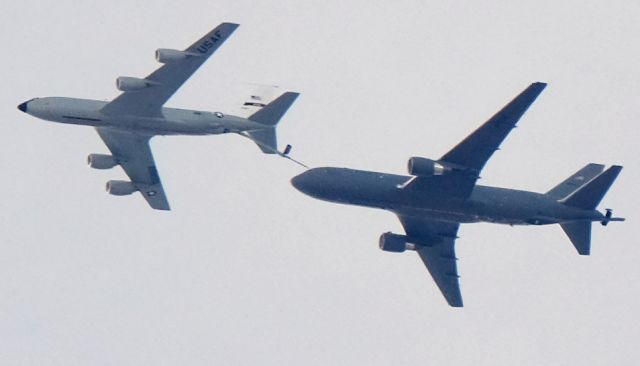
(133, 153)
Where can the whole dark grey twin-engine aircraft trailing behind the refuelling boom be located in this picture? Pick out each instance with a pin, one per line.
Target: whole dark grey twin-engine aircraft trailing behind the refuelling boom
(442, 194)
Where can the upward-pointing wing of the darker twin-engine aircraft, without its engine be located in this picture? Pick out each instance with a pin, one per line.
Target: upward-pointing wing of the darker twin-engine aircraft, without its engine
(470, 155)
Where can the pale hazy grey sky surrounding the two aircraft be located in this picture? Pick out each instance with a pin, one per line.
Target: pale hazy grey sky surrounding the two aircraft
(245, 269)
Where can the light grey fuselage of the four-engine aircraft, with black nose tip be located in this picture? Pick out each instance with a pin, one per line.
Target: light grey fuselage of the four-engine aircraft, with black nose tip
(172, 121)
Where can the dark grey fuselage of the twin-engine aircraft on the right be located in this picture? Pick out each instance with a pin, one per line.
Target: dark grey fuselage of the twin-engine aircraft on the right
(486, 204)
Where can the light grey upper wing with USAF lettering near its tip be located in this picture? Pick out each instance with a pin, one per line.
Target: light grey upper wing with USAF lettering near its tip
(168, 78)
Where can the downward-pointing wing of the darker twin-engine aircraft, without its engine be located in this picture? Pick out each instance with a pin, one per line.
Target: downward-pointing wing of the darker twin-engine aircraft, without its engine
(435, 242)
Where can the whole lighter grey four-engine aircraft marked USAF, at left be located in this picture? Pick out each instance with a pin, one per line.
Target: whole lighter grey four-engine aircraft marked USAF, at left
(127, 123)
